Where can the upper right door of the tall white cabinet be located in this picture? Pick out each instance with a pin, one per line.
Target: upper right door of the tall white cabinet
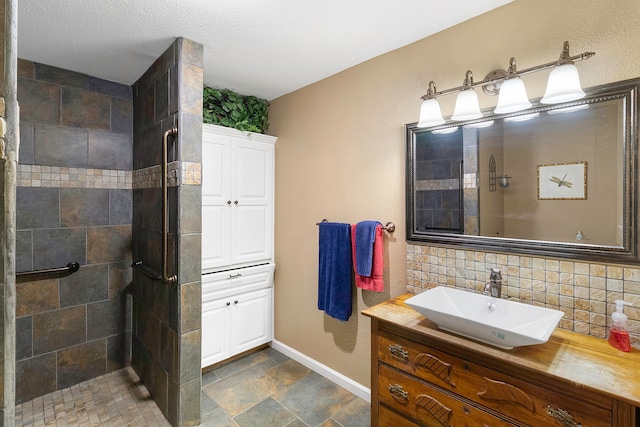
(252, 204)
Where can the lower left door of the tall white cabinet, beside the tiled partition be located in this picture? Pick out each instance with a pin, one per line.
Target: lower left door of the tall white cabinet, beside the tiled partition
(215, 331)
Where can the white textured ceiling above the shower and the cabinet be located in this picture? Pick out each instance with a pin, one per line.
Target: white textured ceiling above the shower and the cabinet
(265, 48)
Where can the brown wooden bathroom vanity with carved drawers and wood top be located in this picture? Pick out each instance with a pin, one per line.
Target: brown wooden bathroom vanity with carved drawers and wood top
(423, 376)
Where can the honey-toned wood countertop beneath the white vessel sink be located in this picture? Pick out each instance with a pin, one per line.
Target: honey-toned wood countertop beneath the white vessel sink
(583, 361)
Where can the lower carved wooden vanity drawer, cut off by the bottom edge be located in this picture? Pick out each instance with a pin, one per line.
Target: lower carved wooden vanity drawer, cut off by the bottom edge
(428, 405)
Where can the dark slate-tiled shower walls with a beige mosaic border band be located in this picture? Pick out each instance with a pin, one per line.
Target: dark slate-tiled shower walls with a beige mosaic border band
(88, 191)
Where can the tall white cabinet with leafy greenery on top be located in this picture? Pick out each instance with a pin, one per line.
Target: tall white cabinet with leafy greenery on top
(237, 241)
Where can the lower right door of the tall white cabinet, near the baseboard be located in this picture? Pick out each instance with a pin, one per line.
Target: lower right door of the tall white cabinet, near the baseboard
(251, 320)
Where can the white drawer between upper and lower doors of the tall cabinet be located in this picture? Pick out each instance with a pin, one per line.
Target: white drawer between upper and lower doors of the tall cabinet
(230, 282)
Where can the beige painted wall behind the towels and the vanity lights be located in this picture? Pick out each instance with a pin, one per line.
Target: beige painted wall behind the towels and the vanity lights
(340, 153)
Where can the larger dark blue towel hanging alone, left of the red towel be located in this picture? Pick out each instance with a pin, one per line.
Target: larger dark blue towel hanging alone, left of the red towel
(334, 272)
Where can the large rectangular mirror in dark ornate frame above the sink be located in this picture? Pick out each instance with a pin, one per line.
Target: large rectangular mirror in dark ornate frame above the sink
(555, 180)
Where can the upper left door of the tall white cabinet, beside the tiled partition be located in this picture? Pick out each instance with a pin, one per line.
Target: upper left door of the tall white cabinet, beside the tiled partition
(216, 201)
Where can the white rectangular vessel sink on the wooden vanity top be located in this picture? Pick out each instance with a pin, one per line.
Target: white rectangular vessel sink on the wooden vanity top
(498, 322)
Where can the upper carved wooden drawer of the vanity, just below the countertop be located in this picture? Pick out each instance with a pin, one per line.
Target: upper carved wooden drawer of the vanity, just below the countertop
(528, 403)
